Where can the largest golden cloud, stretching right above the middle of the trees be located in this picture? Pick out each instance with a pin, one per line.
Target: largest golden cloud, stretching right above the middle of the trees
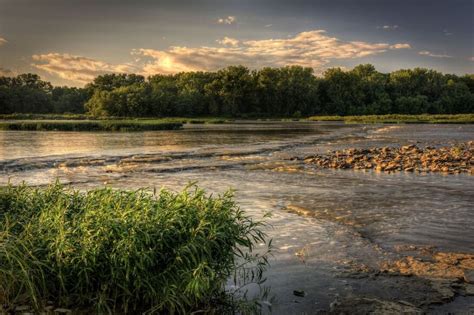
(312, 49)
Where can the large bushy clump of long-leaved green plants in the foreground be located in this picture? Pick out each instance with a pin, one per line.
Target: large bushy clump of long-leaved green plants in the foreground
(116, 251)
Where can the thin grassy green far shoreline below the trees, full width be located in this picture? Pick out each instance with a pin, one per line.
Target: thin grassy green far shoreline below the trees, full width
(79, 122)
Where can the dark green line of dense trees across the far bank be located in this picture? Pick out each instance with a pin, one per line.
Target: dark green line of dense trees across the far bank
(236, 91)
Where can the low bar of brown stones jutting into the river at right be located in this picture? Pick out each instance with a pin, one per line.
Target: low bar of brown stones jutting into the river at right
(410, 158)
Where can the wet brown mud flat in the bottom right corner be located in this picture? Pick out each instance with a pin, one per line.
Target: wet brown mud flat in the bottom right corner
(408, 279)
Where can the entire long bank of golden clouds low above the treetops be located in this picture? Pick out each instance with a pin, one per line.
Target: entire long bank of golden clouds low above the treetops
(312, 49)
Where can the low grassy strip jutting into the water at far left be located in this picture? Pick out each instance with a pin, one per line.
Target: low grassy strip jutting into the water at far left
(88, 125)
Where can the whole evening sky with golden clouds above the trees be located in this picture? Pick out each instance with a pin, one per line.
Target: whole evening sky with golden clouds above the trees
(69, 42)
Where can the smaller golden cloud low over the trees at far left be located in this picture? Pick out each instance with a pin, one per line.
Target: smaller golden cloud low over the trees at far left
(77, 68)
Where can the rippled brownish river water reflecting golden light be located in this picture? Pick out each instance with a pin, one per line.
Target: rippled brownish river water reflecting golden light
(327, 225)
